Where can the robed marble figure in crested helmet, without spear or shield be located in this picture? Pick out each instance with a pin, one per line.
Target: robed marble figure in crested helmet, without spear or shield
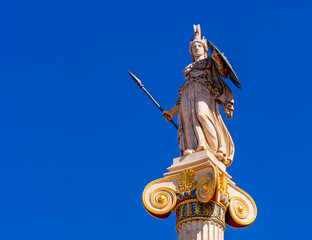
(200, 124)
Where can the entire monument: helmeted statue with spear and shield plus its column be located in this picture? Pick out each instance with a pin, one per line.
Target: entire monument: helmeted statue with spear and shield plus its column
(197, 186)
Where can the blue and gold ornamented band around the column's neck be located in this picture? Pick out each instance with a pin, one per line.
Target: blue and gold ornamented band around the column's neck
(192, 209)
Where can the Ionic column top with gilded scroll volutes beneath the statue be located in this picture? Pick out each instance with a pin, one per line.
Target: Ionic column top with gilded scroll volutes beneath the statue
(202, 195)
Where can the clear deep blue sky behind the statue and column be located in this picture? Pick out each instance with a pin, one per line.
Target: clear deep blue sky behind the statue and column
(79, 141)
